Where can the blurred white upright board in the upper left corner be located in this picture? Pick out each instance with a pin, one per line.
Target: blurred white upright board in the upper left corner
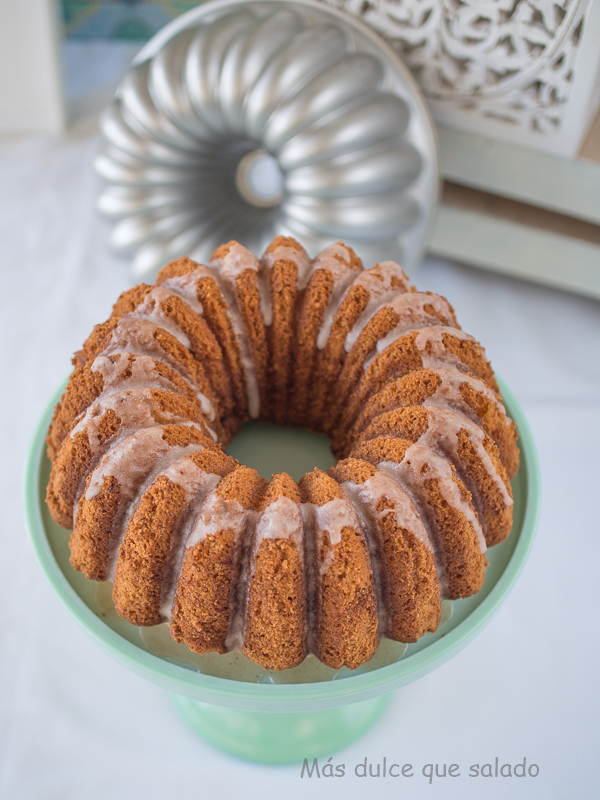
(31, 96)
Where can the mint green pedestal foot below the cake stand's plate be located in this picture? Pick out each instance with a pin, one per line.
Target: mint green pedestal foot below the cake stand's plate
(272, 738)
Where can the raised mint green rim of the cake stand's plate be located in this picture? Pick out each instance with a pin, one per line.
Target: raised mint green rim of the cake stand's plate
(283, 697)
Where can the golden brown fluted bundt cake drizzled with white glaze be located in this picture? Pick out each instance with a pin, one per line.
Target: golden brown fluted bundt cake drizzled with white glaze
(280, 569)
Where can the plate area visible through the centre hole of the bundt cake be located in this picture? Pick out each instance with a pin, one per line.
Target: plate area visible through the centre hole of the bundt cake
(270, 449)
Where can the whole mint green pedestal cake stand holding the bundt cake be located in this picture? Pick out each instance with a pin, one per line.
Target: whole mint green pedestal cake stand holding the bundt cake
(282, 723)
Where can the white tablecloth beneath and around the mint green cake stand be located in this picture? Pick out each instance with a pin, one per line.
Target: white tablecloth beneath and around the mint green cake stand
(74, 724)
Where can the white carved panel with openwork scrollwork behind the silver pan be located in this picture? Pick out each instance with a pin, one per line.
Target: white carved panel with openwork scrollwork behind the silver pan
(524, 71)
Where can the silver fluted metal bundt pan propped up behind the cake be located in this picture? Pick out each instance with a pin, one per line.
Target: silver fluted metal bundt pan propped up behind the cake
(246, 120)
